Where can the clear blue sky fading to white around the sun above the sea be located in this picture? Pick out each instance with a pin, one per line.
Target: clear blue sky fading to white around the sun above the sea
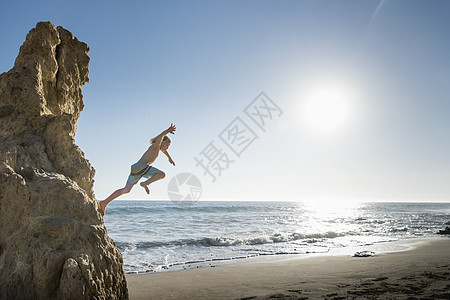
(199, 64)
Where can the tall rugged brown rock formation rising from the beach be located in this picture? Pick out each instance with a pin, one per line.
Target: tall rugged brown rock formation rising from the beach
(53, 243)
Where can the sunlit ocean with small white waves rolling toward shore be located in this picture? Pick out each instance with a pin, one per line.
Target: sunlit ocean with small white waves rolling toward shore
(155, 236)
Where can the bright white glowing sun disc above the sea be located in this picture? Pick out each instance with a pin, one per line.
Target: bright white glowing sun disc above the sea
(327, 110)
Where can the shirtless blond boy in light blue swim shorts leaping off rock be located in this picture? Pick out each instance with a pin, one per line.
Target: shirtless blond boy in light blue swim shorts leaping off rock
(143, 167)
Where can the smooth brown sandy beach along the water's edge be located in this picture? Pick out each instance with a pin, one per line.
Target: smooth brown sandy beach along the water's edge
(423, 272)
